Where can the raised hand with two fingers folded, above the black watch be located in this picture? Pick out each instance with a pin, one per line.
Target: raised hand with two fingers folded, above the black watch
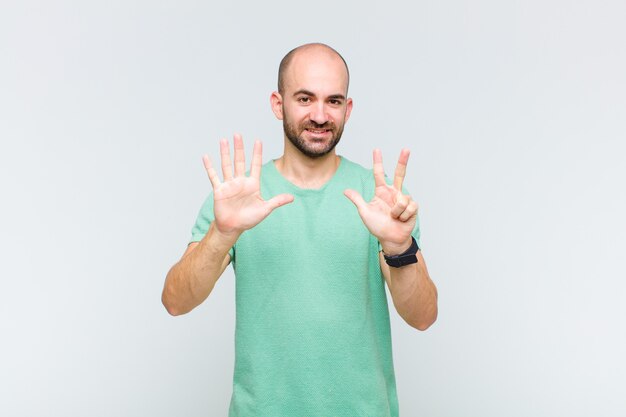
(391, 215)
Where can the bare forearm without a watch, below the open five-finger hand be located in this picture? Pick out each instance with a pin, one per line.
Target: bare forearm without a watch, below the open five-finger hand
(190, 281)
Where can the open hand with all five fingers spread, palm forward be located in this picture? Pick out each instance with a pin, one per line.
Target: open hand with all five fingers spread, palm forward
(238, 204)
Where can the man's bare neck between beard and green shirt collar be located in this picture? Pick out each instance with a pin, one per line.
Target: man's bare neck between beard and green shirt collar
(306, 172)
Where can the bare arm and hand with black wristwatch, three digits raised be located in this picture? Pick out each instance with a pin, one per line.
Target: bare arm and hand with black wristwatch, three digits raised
(391, 217)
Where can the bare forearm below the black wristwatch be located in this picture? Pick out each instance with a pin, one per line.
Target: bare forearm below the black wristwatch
(414, 294)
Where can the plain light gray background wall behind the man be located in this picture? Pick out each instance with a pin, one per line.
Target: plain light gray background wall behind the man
(515, 115)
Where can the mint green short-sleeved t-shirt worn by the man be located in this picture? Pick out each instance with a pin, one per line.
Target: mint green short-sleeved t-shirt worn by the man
(312, 324)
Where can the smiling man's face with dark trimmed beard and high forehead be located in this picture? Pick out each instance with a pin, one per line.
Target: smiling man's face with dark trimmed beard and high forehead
(314, 103)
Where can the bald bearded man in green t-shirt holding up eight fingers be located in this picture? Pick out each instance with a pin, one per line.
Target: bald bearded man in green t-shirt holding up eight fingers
(322, 236)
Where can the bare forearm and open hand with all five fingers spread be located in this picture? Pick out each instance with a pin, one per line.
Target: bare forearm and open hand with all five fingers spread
(237, 206)
